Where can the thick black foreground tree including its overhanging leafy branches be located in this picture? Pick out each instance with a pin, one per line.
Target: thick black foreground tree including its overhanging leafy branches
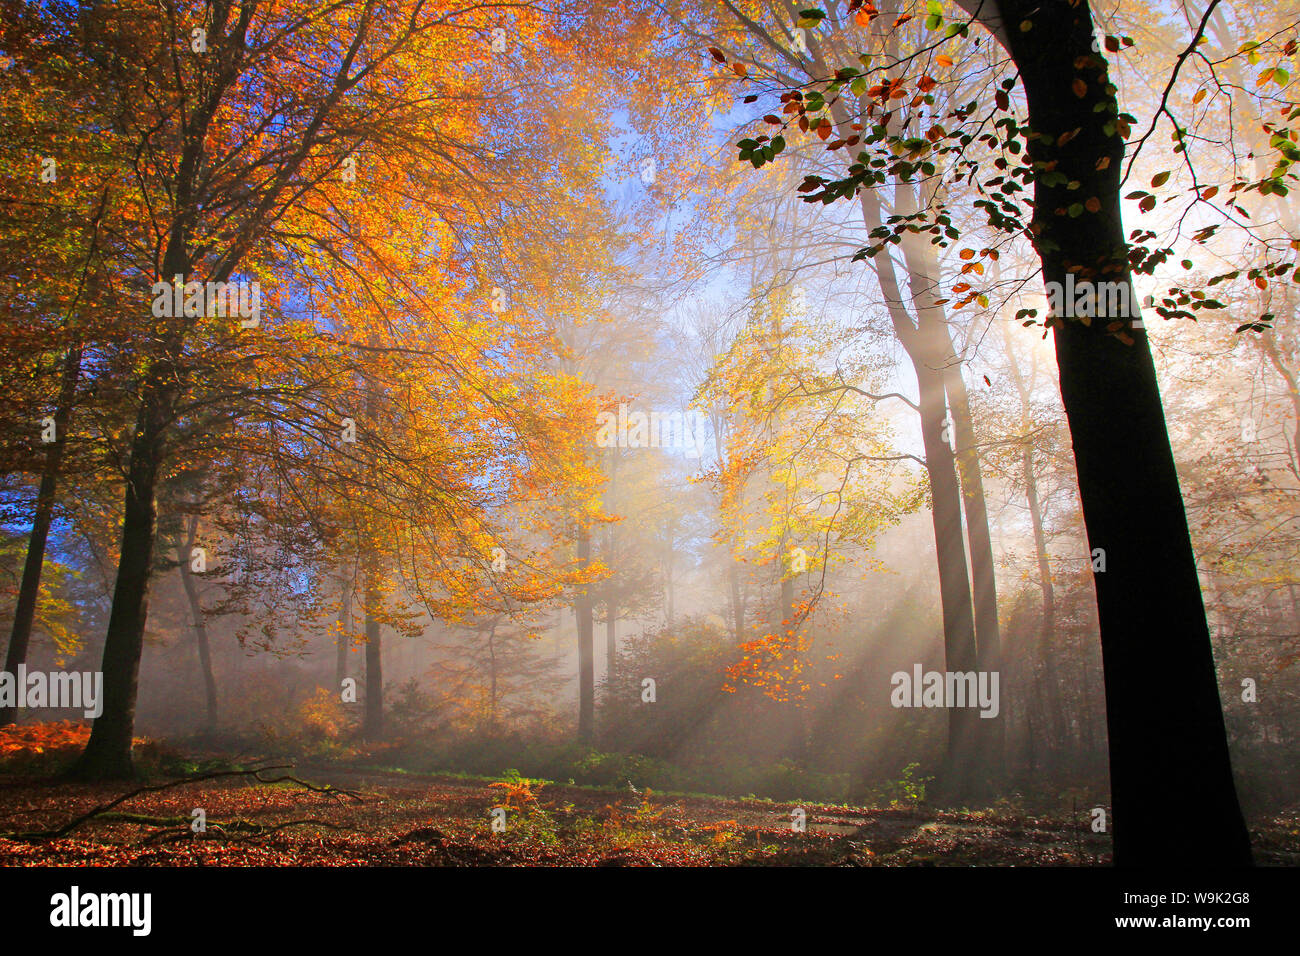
(1165, 721)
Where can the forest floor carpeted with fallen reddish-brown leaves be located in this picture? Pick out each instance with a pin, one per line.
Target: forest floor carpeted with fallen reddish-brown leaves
(335, 817)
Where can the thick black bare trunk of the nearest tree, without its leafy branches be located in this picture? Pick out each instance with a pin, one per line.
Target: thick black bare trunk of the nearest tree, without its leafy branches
(1171, 769)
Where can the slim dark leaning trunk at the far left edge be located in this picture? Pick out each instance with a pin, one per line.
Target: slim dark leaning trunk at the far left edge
(44, 517)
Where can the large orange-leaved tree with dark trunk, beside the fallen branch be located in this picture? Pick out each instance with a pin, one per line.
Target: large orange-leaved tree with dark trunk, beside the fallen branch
(244, 159)
